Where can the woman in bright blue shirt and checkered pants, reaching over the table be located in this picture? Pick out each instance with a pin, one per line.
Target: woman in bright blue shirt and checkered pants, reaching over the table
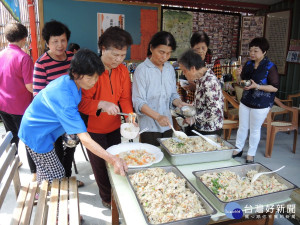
(54, 111)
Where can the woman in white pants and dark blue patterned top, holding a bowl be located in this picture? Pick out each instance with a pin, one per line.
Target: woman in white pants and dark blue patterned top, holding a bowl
(257, 98)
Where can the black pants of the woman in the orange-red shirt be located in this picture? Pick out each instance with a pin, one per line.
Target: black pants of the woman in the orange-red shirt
(98, 164)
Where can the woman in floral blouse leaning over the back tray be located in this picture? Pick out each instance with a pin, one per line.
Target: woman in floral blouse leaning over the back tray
(208, 101)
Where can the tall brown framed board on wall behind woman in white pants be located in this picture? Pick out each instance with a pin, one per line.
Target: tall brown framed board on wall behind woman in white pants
(277, 33)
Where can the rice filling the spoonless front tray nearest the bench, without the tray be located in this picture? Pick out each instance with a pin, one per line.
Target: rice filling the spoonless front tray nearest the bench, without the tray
(164, 196)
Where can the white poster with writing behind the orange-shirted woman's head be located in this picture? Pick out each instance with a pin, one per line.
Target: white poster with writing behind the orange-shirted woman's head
(106, 20)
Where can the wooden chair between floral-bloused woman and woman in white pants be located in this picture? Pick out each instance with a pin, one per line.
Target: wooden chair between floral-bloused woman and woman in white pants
(229, 123)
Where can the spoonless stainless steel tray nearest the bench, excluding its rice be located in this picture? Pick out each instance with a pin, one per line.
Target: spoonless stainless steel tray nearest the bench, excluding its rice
(190, 221)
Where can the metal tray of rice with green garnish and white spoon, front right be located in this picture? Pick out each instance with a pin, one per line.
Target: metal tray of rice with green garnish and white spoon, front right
(233, 184)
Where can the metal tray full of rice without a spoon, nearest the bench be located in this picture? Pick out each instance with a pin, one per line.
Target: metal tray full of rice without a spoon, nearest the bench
(165, 196)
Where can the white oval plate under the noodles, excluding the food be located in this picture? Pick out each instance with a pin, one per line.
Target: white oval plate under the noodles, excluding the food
(124, 147)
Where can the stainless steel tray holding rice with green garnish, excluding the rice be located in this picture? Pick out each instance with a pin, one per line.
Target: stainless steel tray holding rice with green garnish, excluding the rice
(242, 170)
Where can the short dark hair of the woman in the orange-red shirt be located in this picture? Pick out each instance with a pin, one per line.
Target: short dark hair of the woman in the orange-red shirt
(115, 37)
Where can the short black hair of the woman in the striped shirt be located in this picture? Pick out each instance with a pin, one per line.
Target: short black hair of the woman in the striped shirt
(55, 28)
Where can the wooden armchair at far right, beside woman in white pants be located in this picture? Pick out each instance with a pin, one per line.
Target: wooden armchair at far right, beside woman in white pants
(275, 126)
